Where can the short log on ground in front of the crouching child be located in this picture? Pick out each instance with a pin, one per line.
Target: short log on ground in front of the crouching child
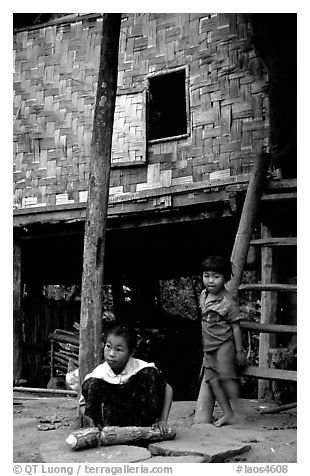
(116, 435)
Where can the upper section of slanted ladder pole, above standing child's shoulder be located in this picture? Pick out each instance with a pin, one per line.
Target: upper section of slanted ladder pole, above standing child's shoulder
(247, 220)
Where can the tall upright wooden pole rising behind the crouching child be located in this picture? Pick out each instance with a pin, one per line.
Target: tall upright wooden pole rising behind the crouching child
(90, 354)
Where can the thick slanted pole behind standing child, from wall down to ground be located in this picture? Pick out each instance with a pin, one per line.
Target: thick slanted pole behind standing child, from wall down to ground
(205, 402)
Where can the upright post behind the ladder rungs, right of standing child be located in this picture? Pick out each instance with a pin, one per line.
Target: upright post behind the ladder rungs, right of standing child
(268, 307)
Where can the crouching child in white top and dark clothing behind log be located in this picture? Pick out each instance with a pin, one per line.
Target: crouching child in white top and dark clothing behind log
(125, 391)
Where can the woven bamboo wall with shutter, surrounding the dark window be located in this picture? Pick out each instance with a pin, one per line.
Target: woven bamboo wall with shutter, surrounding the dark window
(55, 84)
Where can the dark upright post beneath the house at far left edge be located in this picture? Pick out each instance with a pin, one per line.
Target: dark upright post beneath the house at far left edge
(17, 312)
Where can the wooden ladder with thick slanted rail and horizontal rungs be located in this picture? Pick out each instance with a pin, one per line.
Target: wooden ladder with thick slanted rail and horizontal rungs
(269, 289)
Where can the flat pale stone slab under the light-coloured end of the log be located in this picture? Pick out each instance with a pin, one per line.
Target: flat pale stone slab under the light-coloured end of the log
(57, 451)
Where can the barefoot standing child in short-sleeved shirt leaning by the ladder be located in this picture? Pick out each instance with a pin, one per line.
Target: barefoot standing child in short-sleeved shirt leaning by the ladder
(222, 337)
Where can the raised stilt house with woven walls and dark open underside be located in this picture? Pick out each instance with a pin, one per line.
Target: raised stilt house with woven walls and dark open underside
(200, 96)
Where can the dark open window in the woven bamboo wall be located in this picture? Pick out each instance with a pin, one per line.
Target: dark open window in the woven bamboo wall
(167, 105)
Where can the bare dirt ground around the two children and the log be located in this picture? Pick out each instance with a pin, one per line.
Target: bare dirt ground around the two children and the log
(43, 423)
